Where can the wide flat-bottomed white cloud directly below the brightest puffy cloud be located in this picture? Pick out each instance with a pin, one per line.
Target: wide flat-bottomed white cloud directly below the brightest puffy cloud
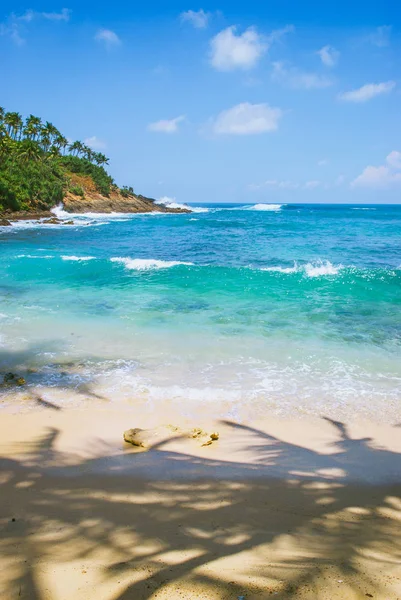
(247, 119)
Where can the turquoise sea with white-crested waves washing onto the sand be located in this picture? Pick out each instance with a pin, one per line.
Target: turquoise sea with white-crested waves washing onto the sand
(293, 309)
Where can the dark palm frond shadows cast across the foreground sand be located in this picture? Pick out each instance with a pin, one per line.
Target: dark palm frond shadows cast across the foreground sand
(149, 508)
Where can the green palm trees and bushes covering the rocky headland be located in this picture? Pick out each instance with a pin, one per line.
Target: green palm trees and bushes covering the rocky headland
(37, 161)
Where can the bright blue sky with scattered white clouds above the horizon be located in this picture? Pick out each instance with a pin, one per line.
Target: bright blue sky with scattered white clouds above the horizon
(277, 101)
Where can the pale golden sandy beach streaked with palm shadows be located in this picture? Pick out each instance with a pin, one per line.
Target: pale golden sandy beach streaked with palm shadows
(302, 509)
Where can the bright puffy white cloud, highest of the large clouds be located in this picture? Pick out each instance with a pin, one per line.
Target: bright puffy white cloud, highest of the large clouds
(230, 51)
